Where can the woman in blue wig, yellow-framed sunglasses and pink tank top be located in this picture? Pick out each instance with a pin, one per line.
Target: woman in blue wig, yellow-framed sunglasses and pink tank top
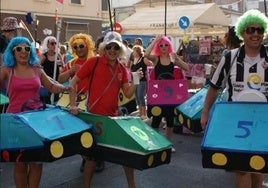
(24, 76)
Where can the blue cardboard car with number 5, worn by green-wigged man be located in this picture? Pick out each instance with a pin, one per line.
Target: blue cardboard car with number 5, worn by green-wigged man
(236, 137)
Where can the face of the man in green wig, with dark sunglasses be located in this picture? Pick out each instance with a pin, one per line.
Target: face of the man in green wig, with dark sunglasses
(253, 36)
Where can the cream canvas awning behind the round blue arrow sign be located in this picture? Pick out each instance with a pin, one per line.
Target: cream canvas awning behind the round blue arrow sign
(205, 19)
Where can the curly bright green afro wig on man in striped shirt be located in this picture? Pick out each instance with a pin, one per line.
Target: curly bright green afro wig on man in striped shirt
(252, 16)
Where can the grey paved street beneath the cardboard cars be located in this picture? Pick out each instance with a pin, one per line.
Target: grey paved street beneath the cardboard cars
(184, 171)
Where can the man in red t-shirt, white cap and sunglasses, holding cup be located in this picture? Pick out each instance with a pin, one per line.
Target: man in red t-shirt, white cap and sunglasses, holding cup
(108, 78)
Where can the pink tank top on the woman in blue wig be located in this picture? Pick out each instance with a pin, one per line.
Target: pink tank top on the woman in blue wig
(21, 90)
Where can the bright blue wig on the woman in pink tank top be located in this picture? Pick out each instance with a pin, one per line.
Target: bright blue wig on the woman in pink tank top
(8, 56)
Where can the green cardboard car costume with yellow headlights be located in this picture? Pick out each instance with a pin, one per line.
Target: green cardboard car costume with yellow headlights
(128, 141)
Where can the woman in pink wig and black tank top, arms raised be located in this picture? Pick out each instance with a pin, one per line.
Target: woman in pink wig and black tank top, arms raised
(159, 52)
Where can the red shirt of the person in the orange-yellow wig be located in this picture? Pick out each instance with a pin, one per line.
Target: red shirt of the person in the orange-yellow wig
(83, 84)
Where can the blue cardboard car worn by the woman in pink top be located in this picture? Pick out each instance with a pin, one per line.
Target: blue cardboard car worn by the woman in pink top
(43, 136)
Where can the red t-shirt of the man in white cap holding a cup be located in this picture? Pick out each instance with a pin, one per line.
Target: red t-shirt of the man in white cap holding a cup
(107, 102)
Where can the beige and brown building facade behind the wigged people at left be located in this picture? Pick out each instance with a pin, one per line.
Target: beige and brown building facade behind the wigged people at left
(74, 16)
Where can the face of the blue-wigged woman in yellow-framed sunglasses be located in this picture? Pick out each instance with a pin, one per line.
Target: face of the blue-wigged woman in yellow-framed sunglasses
(22, 53)
